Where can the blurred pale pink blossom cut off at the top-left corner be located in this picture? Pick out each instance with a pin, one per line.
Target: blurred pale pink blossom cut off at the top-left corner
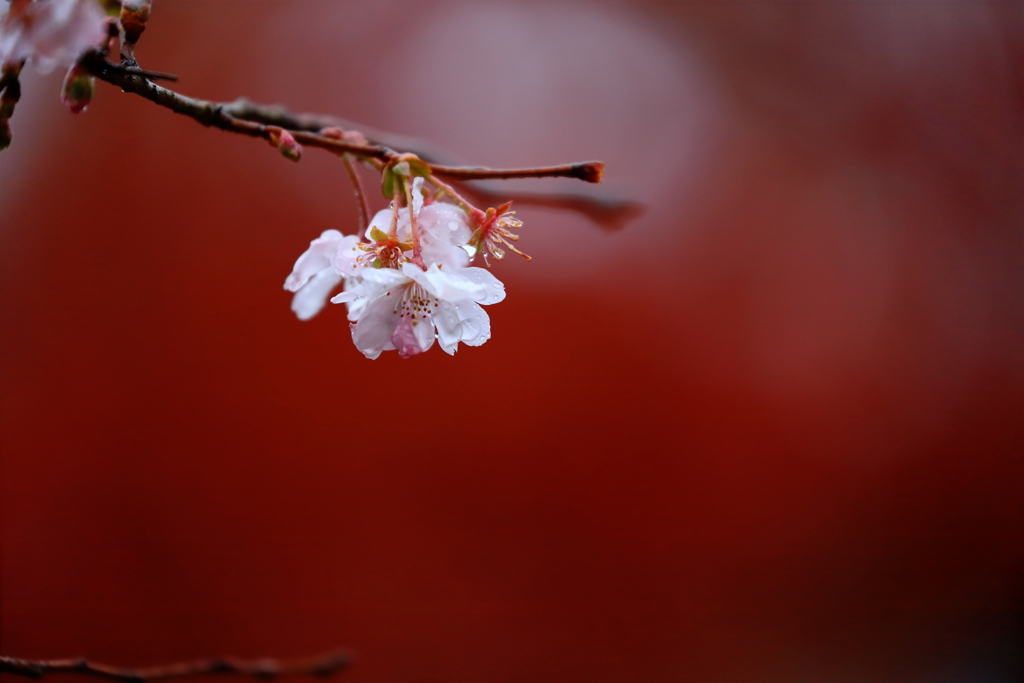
(50, 33)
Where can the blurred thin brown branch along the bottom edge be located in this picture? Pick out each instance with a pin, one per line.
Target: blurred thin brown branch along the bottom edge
(322, 666)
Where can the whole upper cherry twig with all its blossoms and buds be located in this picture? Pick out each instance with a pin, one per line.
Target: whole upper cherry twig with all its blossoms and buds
(407, 278)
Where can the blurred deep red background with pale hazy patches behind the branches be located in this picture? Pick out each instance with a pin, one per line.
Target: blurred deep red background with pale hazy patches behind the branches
(771, 432)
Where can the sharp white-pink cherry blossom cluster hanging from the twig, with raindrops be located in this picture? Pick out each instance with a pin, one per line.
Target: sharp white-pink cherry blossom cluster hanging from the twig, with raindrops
(408, 280)
